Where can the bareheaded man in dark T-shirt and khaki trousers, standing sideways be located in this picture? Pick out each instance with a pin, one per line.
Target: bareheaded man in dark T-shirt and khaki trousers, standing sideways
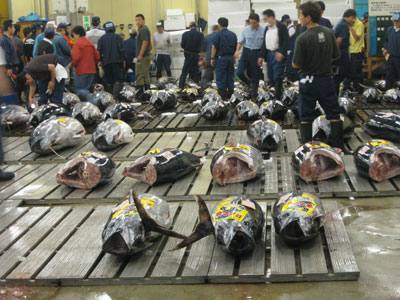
(143, 56)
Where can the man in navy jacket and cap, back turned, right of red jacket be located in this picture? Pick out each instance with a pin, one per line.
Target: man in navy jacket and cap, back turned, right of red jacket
(111, 50)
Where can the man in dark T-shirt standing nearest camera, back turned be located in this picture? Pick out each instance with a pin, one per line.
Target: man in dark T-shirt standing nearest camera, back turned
(314, 52)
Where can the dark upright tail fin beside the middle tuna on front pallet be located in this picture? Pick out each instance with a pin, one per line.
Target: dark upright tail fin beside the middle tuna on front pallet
(203, 228)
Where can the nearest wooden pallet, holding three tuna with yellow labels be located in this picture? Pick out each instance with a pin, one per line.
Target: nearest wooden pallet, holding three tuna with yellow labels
(62, 246)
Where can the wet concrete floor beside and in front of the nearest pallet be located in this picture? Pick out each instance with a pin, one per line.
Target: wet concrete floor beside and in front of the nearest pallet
(374, 229)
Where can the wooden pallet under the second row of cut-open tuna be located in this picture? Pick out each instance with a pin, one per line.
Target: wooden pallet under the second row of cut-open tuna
(36, 184)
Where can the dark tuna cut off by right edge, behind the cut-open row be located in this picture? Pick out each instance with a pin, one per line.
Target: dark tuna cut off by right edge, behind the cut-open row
(384, 125)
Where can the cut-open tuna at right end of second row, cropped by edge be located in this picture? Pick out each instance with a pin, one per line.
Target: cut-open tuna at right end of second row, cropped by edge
(378, 160)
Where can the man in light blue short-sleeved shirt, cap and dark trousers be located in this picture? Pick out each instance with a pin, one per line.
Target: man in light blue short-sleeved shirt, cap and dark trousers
(251, 40)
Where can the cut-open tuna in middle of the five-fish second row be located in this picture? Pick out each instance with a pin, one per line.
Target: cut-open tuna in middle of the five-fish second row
(237, 163)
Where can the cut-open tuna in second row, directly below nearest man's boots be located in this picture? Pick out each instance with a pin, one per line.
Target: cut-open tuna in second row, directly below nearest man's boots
(316, 161)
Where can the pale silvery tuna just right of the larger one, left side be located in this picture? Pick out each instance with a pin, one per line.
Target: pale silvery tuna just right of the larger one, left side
(110, 134)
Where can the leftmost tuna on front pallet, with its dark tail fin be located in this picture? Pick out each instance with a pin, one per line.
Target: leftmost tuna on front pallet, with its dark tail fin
(134, 225)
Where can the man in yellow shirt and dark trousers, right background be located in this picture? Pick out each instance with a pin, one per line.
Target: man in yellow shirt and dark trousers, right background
(356, 53)
